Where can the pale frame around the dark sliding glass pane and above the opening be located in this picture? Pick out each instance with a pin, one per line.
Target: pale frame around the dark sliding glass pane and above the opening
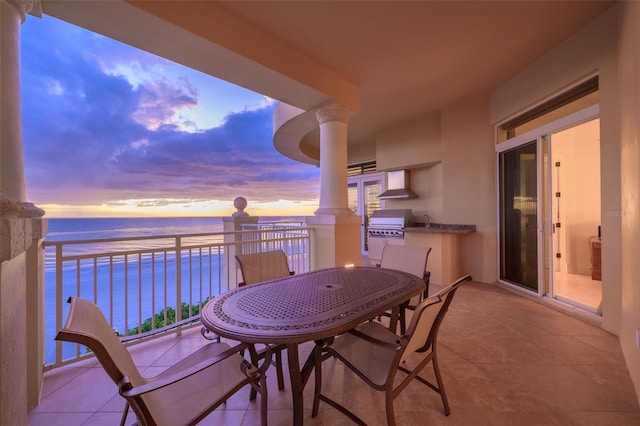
(541, 135)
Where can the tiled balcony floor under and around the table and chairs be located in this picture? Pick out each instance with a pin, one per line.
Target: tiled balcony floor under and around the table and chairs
(505, 360)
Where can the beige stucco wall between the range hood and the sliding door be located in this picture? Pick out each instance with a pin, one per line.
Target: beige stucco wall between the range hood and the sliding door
(460, 187)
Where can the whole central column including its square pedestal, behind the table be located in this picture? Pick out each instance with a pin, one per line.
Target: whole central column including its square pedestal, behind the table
(335, 239)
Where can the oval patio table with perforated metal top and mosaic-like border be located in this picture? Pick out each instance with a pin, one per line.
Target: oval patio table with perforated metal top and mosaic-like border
(313, 306)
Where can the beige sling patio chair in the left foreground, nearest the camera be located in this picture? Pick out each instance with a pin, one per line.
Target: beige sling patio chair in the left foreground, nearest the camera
(186, 392)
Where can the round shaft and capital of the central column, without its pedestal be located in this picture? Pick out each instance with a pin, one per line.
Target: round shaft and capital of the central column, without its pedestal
(333, 120)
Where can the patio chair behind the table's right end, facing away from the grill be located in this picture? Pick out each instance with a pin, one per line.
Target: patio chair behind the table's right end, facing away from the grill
(407, 259)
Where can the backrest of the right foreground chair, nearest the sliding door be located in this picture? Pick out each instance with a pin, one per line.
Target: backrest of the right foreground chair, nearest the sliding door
(427, 318)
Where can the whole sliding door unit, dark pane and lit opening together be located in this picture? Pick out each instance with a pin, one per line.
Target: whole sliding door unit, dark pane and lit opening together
(549, 209)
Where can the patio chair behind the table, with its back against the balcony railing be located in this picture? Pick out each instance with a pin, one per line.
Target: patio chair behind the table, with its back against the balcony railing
(265, 266)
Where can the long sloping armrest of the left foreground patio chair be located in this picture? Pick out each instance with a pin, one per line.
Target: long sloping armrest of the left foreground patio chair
(126, 389)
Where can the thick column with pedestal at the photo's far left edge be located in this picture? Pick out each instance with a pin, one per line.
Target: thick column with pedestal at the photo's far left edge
(22, 232)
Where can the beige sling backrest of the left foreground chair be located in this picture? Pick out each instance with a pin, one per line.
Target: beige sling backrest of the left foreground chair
(87, 325)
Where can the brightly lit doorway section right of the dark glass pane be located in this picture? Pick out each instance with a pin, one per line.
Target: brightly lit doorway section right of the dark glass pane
(575, 201)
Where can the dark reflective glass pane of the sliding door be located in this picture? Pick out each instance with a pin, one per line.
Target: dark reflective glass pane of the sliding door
(519, 215)
